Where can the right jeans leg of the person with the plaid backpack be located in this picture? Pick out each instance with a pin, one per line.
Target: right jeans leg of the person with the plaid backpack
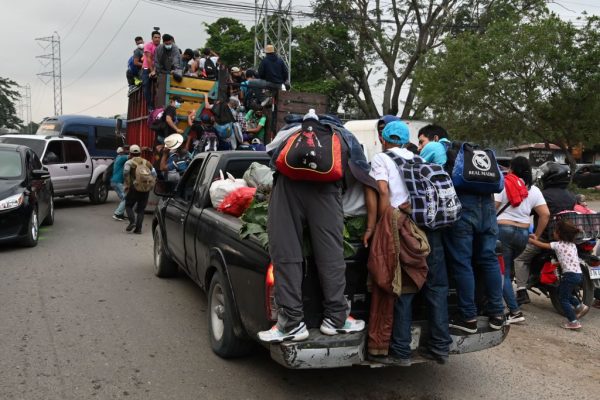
(435, 291)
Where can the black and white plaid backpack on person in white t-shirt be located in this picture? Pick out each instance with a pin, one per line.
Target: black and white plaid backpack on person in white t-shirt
(433, 200)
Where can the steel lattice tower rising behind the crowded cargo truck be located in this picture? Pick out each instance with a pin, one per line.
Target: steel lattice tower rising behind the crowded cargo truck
(273, 25)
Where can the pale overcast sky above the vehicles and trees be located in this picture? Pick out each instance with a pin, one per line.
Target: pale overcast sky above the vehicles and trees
(25, 20)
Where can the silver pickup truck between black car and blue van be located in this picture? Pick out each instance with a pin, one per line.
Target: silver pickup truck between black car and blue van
(73, 172)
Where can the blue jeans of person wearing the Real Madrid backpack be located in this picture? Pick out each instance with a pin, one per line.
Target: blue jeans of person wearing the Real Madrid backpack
(471, 243)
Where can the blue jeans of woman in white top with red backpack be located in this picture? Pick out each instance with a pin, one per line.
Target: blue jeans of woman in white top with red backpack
(514, 241)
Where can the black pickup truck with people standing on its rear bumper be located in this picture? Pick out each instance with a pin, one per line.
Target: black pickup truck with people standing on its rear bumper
(237, 274)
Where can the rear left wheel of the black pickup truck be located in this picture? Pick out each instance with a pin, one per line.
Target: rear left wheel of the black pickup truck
(223, 340)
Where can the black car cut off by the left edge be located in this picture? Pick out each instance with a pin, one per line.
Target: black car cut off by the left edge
(25, 195)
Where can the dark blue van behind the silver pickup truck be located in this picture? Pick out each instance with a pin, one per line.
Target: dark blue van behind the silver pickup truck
(101, 136)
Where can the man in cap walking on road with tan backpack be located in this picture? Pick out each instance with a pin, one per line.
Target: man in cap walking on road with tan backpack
(140, 177)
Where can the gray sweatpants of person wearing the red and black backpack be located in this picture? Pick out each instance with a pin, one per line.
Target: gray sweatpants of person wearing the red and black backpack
(318, 206)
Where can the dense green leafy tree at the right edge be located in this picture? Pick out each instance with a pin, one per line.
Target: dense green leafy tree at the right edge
(532, 80)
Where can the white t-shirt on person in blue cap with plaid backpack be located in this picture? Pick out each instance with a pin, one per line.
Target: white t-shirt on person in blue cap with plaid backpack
(383, 168)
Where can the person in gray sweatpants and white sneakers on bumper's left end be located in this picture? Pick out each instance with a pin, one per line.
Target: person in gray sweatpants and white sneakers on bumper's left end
(296, 203)
